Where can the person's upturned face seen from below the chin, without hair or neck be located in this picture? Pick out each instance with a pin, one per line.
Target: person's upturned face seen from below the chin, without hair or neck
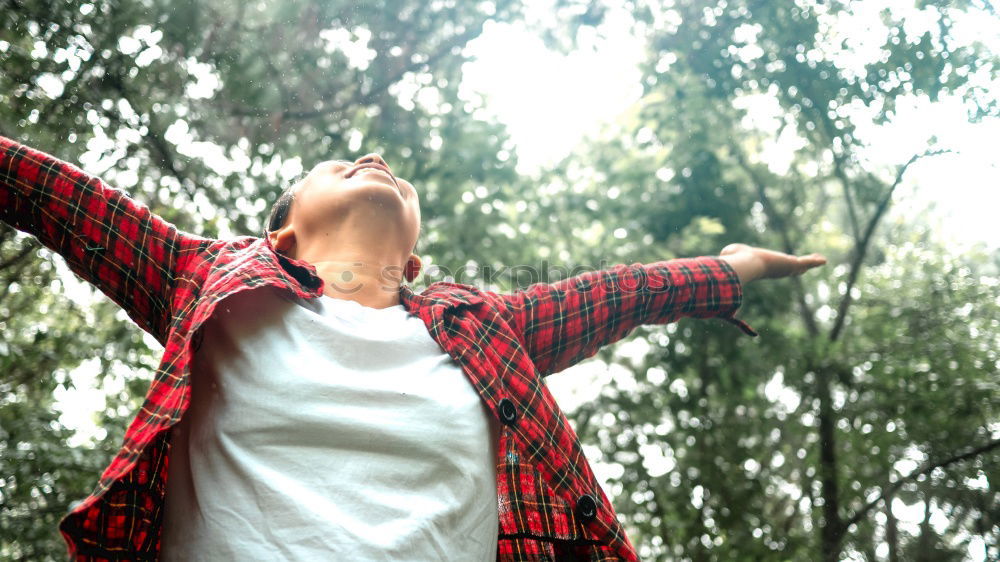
(366, 191)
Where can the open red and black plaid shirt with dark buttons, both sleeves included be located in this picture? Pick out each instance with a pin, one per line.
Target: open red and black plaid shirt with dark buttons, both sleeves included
(169, 282)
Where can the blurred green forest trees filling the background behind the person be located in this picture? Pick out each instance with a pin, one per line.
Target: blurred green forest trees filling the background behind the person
(863, 424)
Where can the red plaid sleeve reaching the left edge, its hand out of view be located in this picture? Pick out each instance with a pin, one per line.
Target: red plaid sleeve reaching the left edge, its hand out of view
(108, 239)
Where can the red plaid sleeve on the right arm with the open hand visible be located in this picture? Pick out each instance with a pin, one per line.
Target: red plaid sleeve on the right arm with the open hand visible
(565, 322)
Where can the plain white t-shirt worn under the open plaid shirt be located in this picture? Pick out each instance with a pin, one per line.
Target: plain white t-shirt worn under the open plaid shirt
(321, 429)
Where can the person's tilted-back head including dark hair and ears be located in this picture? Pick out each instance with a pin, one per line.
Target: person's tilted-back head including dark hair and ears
(358, 207)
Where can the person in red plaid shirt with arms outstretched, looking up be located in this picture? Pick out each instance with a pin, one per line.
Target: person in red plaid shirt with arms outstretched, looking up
(310, 405)
